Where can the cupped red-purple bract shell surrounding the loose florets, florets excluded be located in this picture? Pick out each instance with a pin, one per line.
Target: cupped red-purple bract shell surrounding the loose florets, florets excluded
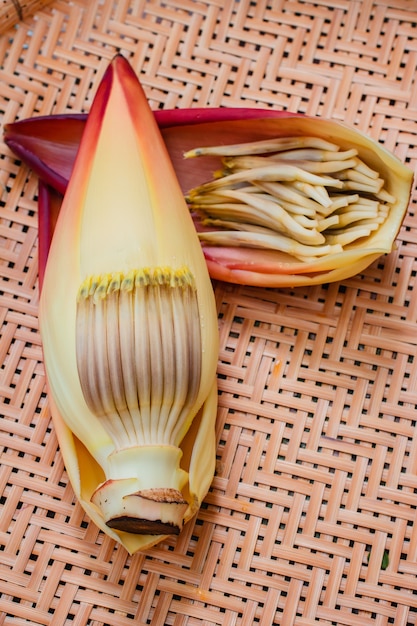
(48, 145)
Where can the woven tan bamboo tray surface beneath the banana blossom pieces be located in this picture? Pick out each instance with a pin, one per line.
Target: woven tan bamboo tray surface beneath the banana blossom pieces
(311, 515)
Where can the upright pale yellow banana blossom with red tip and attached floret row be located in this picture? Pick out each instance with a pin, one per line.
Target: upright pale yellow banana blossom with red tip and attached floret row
(129, 327)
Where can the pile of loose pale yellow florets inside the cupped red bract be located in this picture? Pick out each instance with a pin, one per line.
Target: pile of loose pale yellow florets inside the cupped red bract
(298, 195)
